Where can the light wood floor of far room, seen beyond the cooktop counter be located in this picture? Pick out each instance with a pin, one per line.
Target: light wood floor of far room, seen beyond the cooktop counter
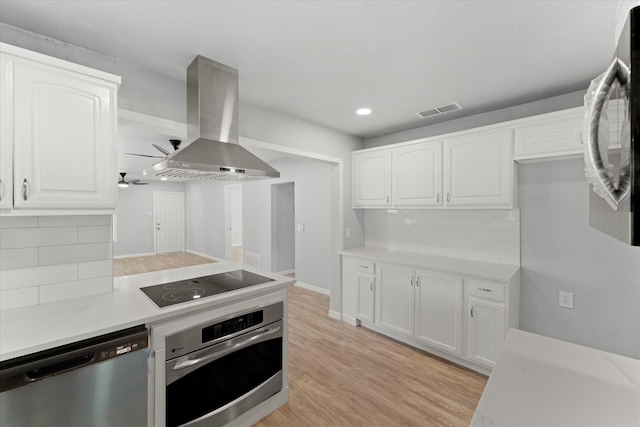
(146, 264)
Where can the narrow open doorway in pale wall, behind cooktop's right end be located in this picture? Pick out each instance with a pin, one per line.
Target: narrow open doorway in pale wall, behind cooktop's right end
(283, 246)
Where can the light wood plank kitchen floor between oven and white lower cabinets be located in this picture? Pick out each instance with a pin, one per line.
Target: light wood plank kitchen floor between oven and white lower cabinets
(341, 375)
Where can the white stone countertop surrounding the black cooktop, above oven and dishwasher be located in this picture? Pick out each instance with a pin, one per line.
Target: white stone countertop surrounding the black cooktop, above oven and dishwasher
(31, 329)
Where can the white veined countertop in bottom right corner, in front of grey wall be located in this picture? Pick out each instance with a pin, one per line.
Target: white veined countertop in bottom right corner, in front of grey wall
(540, 381)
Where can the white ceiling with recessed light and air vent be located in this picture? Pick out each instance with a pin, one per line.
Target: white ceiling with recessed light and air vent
(322, 60)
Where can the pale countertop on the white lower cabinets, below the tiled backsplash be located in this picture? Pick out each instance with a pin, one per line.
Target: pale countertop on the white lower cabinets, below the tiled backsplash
(462, 267)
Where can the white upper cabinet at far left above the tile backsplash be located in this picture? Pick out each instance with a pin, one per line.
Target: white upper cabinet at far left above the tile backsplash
(62, 123)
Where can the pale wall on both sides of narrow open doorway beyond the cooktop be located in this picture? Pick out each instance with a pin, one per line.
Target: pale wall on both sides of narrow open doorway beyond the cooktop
(312, 206)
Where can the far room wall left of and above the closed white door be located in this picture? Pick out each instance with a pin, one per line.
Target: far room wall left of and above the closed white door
(135, 227)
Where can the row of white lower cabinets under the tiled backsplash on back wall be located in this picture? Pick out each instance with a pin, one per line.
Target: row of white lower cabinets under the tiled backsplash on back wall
(461, 318)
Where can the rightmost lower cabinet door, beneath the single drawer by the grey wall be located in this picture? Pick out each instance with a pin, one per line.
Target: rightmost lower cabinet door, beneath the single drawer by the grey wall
(486, 330)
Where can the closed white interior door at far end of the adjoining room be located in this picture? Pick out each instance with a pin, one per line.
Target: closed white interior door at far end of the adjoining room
(169, 222)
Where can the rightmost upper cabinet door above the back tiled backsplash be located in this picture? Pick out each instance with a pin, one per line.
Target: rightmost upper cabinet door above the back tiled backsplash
(478, 170)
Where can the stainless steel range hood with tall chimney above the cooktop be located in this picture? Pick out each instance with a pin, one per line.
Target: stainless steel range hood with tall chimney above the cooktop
(212, 124)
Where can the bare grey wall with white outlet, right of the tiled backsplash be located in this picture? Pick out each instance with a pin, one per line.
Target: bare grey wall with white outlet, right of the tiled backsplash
(561, 252)
